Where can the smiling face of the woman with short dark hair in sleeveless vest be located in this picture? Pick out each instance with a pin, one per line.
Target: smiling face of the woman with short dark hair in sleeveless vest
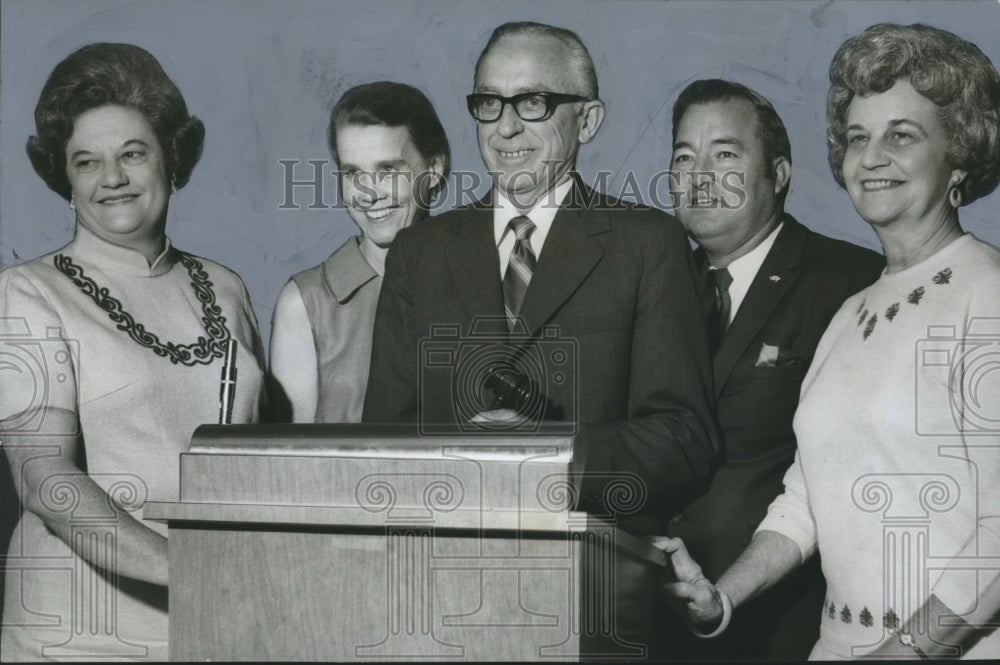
(386, 182)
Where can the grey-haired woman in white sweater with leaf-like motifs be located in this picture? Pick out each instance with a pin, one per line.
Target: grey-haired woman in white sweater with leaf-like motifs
(897, 477)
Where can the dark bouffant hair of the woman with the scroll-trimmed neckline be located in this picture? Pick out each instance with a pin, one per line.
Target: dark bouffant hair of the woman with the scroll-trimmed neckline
(112, 75)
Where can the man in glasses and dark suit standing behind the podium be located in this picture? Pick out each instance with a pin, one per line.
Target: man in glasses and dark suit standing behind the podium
(553, 263)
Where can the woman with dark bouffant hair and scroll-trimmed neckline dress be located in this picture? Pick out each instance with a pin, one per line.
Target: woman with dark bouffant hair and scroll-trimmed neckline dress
(131, 337)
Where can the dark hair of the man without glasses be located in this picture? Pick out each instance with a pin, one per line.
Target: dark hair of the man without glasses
(769, 128)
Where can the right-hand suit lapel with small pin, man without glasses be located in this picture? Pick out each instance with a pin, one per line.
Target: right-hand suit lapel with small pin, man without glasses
(775, 278)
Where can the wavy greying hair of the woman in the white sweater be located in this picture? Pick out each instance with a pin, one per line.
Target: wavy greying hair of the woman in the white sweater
(949, 71)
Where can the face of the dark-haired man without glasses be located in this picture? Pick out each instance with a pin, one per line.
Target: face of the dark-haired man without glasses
(730, 192)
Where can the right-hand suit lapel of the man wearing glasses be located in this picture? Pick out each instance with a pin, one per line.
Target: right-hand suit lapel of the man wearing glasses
(568, 256)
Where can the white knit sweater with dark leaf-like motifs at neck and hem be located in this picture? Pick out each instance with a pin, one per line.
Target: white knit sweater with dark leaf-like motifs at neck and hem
(897, 476)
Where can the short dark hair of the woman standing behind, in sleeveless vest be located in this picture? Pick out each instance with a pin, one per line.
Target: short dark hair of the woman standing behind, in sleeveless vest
(393, 105)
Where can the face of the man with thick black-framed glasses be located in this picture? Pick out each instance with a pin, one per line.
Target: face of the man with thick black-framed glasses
(527, 159)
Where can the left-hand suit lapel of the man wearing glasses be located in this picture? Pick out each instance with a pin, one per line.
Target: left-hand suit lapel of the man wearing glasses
(474, 264)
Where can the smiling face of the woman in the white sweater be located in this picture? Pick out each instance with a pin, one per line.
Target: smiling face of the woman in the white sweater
(896, 166)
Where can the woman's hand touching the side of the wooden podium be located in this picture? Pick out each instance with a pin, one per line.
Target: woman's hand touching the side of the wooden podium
(692, 595)
